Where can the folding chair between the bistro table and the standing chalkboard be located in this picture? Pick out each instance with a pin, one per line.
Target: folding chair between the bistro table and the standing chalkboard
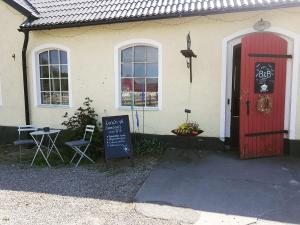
(80, 146)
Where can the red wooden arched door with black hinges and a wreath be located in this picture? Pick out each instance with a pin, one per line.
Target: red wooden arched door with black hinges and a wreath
(262, 95)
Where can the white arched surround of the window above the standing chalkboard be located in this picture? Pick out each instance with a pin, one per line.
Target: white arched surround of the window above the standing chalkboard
(117, 61)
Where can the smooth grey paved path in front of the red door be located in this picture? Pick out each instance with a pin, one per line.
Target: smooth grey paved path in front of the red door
(218, 188)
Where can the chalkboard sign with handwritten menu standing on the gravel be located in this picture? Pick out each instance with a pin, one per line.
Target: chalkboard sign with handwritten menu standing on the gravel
(117, 138)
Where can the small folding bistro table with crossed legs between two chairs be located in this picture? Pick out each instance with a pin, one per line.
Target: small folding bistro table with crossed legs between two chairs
(52, 135)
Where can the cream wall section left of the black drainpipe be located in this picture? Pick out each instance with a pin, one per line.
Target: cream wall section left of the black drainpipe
(11, 79)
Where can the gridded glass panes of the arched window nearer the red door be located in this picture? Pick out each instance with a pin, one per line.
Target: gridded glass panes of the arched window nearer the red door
(139, 73)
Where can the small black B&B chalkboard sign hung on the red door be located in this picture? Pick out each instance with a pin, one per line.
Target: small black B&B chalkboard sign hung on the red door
(264, 77)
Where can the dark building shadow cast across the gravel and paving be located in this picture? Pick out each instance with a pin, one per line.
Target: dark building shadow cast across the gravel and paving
(204, 181)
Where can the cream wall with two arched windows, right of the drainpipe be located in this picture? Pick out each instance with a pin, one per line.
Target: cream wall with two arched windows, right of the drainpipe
(93, 72)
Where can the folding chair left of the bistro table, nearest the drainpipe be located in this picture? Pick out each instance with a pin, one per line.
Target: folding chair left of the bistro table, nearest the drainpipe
(24, 137)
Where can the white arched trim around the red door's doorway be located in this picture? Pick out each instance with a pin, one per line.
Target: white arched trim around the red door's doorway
(292, 78)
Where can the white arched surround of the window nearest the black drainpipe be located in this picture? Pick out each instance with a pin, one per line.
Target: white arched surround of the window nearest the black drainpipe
(36, 75)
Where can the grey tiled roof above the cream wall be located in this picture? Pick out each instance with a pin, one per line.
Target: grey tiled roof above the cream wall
(68, 13)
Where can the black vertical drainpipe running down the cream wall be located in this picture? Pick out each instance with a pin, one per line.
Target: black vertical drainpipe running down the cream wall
(25, 84)
